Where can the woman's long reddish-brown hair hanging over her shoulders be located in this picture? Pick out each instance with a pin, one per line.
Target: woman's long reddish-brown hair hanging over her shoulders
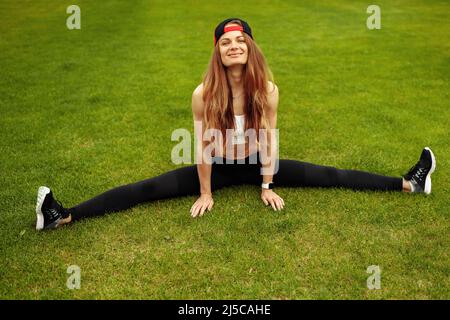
(217, 95)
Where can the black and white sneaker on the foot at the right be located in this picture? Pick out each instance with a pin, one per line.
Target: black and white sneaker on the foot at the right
(419, 175)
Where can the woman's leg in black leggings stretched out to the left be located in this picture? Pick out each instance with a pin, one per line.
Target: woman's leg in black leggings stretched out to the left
(179, 182)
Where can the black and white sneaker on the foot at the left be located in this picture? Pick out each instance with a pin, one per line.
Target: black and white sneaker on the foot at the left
(49, 211)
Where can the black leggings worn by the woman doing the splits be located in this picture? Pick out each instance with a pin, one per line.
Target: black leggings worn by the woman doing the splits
(184, 181)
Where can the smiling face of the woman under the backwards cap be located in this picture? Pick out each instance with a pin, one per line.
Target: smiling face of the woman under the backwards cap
(233, 49)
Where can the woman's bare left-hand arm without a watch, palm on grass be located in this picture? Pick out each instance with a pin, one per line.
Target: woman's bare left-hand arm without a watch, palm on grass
(205, 201)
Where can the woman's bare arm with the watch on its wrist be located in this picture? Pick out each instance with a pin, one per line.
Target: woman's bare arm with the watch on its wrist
(269, 196)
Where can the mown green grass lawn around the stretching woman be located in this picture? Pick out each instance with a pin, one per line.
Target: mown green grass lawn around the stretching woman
(86, 110)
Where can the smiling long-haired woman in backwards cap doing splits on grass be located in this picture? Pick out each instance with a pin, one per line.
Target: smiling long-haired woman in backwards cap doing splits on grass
(237, 92)
